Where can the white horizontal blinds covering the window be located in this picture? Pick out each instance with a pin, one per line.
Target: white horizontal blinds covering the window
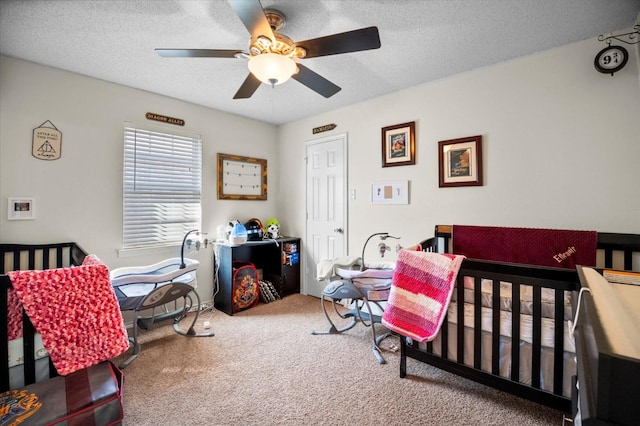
(162, 187)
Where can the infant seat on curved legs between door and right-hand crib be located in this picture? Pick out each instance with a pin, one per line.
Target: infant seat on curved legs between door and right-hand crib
(362, 288)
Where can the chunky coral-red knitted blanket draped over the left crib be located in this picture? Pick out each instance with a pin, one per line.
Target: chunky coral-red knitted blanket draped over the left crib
(75, 310)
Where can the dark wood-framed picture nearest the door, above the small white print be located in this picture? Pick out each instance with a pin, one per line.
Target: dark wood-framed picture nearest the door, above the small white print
(398, 145)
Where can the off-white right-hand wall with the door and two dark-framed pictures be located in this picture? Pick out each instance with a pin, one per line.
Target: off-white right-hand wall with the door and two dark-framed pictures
(561, 149)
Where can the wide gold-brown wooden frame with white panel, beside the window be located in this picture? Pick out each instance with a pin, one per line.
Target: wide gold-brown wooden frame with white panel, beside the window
(241, 178)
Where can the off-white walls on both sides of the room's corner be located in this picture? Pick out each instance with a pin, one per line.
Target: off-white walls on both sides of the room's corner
(561, 149)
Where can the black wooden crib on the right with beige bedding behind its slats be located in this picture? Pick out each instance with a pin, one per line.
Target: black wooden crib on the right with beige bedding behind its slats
(533, 355)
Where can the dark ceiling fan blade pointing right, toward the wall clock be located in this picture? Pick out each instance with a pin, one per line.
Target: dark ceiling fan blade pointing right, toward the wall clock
(350, 41)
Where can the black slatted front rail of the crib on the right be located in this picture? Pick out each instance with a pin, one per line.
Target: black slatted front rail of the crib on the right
(559, 280)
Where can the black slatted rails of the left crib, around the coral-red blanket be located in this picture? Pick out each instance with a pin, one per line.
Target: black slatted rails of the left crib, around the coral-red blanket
(29, 257)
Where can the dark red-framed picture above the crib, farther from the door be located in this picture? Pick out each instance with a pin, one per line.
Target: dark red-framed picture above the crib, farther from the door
(460, 162)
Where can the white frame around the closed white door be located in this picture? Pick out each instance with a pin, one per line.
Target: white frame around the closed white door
(345, 209)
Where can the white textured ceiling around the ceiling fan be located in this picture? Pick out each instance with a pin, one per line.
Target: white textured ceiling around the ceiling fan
(421, 41)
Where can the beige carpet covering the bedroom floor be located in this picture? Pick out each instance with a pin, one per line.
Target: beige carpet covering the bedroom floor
(264, 367)
